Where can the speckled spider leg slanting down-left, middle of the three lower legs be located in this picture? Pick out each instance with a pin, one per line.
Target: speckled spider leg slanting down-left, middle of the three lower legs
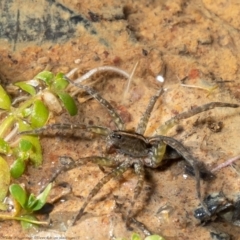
(114, 173)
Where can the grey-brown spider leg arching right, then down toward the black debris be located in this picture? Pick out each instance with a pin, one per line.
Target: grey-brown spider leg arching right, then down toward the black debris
(188, 157)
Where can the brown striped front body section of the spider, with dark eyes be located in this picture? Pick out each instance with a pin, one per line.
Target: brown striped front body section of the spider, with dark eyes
(132, 144)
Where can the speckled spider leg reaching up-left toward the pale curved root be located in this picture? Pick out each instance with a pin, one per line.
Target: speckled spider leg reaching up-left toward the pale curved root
(116, 117)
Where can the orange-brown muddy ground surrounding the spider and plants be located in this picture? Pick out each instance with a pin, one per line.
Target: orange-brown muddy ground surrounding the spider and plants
(197, 39)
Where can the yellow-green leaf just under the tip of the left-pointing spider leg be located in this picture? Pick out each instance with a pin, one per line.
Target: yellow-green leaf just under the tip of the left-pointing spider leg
(35, 155)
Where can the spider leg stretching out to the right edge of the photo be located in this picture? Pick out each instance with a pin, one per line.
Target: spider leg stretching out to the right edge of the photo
(162, 130)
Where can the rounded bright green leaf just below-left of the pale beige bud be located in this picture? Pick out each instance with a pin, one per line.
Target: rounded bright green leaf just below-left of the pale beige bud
(39, 114)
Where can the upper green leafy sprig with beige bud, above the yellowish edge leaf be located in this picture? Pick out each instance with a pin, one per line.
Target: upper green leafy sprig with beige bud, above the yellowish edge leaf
(31, 113)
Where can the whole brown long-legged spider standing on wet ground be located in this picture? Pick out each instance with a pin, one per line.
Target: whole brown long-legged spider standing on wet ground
(140, 151)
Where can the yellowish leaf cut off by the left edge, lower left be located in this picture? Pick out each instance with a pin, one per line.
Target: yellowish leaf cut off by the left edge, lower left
(4, 179)
